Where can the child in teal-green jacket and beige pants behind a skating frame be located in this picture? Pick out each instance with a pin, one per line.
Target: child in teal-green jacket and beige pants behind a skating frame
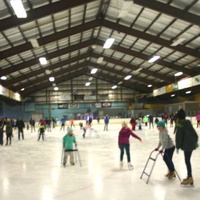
(69, 140)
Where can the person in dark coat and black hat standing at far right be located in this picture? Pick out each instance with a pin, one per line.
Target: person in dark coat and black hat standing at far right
(187, 140)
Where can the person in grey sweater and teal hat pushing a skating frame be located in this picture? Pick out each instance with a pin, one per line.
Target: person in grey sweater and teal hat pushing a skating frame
(167, 146)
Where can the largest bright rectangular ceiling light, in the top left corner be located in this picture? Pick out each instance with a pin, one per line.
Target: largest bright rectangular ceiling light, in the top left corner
(18, 8)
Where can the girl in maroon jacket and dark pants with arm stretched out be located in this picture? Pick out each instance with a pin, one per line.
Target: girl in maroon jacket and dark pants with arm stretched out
(123, 142)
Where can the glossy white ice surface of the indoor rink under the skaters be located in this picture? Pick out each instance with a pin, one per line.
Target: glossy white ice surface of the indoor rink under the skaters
(32, 170)
